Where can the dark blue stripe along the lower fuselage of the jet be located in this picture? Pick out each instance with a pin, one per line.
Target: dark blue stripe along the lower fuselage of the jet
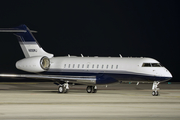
(106, 78)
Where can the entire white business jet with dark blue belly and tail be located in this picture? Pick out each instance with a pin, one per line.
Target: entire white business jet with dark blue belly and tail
(90, 71)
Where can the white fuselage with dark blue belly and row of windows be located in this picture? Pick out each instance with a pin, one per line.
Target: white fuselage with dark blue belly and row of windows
(110, 69)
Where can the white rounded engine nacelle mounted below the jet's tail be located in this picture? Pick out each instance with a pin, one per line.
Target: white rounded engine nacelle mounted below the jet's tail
(33, 64)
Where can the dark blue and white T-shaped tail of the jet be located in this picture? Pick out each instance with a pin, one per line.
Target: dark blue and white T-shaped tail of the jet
(27, 41)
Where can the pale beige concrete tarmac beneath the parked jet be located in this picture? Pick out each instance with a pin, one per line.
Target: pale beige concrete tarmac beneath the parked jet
(41, 101)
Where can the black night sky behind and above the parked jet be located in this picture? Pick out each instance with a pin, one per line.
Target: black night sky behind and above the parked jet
(137, 28)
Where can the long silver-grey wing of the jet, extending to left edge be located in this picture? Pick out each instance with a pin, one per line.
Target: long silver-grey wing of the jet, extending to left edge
(62, 78)
